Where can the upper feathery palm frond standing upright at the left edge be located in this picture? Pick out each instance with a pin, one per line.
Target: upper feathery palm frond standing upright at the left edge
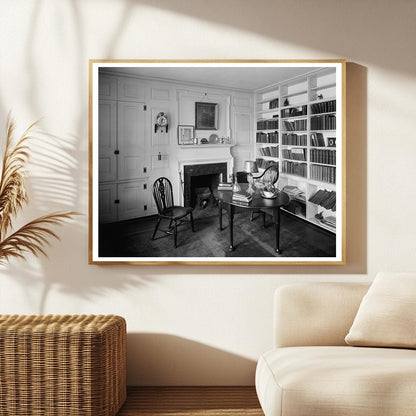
(12, 181)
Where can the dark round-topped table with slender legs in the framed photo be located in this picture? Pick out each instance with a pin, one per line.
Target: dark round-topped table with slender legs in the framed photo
(225, 201)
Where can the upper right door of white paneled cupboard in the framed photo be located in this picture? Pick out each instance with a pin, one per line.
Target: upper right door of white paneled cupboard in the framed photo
(131, 141)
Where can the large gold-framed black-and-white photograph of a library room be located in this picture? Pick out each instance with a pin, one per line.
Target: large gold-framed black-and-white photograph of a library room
(280, 125)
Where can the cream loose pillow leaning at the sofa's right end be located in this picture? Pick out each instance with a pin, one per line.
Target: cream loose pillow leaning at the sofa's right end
(387, 314)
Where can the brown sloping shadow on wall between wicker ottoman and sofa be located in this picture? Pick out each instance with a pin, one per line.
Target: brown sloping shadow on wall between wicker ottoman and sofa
(163, 359)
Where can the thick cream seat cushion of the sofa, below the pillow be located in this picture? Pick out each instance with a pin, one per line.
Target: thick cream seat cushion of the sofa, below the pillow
(341, 381)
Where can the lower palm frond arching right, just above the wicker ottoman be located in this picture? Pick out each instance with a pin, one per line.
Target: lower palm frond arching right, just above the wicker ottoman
(33, 237)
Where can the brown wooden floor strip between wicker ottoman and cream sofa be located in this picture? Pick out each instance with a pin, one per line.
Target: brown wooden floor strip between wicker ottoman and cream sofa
(195, 401)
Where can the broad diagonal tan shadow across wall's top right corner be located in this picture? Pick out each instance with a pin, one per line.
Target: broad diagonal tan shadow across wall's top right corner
(380, 32)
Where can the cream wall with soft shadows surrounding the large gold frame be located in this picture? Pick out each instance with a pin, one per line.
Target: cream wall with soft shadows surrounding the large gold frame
(204, 324)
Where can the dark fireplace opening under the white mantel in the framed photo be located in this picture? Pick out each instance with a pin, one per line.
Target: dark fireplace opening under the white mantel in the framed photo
(202, 178)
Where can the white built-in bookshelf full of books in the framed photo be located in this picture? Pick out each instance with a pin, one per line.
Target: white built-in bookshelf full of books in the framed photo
(296, 123)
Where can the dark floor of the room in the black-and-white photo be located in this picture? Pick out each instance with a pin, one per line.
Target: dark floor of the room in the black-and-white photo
(297, 238)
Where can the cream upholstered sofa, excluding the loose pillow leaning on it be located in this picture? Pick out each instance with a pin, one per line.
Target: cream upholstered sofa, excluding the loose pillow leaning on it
(313, 372)
